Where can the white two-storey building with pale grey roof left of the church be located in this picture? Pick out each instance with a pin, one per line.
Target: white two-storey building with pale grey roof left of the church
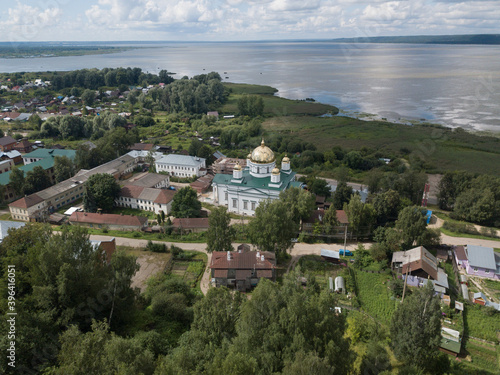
(182, 165)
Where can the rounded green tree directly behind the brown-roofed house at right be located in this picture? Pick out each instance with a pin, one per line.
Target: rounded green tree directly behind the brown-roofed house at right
(411, 224)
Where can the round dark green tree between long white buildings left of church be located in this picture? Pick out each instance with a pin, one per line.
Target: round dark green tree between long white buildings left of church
(101, 190)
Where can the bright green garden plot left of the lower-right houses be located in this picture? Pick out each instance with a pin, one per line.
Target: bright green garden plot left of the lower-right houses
(374, 296)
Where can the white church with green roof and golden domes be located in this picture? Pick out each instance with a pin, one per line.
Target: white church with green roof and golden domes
(242, 191)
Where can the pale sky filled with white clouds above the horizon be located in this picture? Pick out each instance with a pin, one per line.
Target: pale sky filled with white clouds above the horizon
(230, 20)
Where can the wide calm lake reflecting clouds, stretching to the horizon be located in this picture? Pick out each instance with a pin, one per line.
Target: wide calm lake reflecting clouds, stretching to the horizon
(454, 85)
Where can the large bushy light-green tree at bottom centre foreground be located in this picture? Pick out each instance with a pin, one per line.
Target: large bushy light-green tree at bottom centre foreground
(281, 321)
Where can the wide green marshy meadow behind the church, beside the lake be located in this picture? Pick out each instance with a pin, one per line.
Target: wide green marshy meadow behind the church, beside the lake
(440, 148)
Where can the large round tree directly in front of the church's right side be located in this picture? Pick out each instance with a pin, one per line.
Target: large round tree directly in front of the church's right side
(273, 227)
